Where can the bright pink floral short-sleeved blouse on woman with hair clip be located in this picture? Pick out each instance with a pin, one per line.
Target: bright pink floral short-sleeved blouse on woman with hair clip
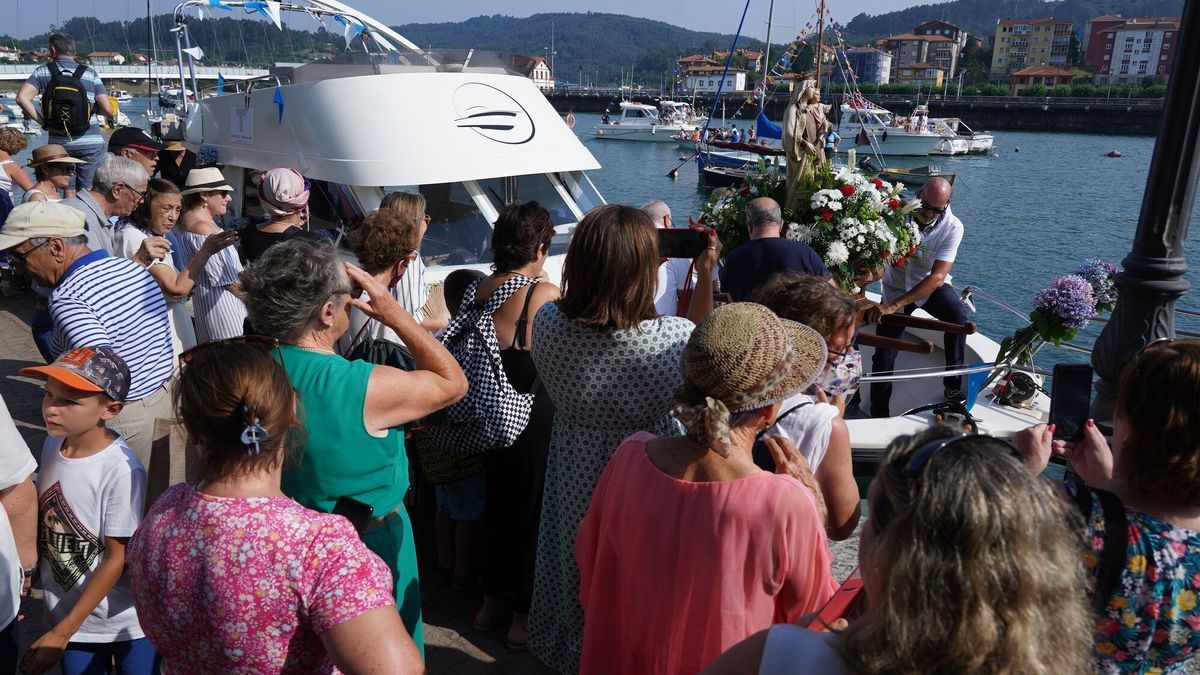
(248, 586)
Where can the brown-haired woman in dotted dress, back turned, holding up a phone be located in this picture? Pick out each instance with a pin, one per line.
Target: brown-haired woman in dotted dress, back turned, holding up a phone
(611, 365)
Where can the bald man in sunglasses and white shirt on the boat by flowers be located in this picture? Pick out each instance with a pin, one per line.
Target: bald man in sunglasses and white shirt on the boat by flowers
(925, 282)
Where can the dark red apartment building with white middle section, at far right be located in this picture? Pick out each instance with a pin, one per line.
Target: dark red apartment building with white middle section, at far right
(1119, 51)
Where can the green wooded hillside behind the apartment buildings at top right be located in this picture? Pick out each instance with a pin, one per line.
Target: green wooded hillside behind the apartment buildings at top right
(980, 16)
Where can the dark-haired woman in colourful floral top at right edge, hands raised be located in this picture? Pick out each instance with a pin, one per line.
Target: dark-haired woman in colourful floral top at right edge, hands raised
(1150, 622)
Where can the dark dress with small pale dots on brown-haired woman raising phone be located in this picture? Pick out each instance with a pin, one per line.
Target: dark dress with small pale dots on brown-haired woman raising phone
(607, 385)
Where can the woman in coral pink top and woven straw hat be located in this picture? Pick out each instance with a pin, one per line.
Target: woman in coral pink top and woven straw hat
(688, 547)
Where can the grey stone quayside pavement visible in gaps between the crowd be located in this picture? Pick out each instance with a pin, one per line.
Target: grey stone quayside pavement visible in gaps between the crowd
(453, 646)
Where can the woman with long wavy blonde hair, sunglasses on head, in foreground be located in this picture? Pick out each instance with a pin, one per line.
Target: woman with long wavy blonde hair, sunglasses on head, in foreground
(970, 565)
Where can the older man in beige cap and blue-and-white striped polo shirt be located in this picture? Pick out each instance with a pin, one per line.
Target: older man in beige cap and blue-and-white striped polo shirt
(99, 301)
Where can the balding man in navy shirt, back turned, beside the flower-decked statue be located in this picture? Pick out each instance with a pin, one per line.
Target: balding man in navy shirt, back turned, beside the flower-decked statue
(766, 254)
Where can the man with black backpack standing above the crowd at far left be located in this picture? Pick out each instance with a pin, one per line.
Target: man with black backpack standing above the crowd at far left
(89, 146)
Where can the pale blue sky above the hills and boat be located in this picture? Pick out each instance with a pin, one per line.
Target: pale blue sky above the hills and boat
(33, 17)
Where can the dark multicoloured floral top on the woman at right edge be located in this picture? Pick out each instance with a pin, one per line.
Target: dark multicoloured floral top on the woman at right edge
(1151, 624)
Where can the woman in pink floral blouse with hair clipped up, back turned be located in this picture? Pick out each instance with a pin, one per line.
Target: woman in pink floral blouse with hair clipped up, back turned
(233, 577)
